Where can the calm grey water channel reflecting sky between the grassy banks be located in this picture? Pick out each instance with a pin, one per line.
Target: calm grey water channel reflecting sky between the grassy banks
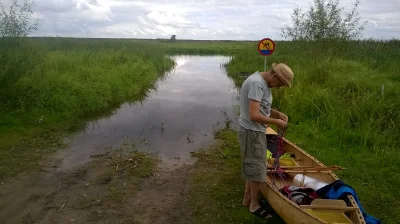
(177, 118)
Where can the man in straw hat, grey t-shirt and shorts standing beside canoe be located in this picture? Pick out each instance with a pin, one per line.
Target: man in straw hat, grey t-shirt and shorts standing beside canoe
(255, 115)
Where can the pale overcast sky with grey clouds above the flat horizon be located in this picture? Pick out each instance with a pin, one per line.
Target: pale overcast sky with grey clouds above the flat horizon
(194, 19)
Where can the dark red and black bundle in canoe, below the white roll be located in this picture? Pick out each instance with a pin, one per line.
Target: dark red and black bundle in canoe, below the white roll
(299, 195)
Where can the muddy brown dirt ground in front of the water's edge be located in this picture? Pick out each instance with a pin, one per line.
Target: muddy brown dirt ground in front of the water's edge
(111, 189)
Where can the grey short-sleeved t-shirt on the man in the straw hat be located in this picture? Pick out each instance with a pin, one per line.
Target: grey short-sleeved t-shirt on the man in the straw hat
(256, 88)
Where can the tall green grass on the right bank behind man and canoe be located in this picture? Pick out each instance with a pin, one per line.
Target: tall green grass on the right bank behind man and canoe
(338, 112)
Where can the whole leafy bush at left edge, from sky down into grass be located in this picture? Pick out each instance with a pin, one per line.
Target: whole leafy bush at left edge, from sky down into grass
(18, 56)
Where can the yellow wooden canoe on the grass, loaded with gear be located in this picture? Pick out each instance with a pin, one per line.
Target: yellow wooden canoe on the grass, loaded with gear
(321, 210)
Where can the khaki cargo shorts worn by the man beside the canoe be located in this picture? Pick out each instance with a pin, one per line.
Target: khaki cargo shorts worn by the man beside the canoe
(253, 146)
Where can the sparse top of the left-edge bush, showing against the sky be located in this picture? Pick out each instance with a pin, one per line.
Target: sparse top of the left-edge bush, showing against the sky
(17, 21)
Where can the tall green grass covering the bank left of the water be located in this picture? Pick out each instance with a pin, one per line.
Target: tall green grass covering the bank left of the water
(51, 89)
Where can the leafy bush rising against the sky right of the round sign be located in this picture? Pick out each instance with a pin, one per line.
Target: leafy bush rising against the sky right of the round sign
(324, 21)
